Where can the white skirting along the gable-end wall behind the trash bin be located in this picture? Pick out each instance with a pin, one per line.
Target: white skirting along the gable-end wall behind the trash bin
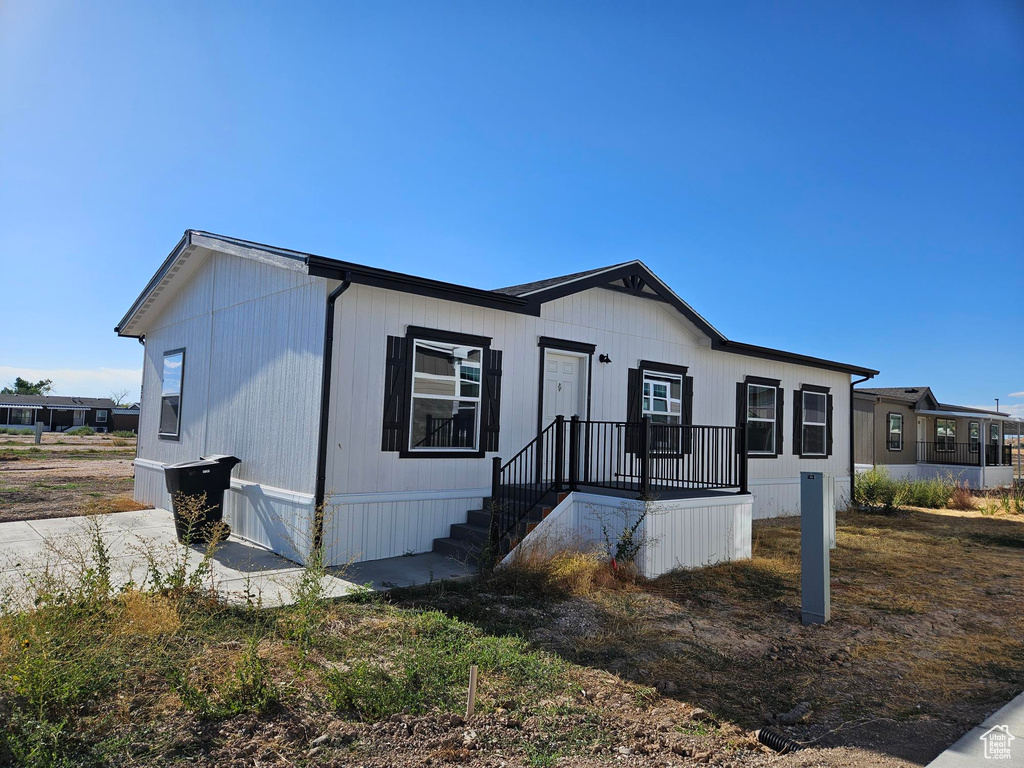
(279, 520)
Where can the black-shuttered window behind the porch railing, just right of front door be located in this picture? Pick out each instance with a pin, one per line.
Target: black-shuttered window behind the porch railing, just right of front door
(664, 394)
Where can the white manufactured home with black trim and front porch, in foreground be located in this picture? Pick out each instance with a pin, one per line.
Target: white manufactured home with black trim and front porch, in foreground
(410, 410)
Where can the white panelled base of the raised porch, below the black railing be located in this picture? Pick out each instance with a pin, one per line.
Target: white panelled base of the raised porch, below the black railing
(680, 534)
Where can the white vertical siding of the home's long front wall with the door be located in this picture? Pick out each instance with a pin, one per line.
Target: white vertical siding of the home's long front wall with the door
(382, 505)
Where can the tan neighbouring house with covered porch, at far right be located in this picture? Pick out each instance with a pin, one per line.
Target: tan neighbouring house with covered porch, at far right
(912, 435)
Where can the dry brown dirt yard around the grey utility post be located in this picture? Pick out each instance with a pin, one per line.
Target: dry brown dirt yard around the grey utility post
(927, 635)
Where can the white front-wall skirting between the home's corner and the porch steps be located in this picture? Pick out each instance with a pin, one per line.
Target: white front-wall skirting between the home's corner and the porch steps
(370, 527)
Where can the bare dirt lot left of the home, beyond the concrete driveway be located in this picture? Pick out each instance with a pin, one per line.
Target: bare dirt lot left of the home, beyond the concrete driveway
(66, 476)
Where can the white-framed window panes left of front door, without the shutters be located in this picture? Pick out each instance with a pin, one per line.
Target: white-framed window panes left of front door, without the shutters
(446, 407)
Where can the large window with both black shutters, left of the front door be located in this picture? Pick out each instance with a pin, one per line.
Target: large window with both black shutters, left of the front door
(442, 395)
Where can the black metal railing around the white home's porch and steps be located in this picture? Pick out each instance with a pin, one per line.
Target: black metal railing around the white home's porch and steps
(638, 457)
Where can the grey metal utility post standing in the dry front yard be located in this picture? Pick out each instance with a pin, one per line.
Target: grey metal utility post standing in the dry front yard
(818, 509)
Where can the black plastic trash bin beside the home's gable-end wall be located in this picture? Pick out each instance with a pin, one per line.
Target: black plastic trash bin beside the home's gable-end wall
(210, 476)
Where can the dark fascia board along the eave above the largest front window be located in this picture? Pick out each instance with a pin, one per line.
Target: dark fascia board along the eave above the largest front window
(321, 267)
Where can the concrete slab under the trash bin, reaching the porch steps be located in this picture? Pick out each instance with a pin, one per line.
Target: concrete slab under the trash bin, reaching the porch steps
(60, 549)
